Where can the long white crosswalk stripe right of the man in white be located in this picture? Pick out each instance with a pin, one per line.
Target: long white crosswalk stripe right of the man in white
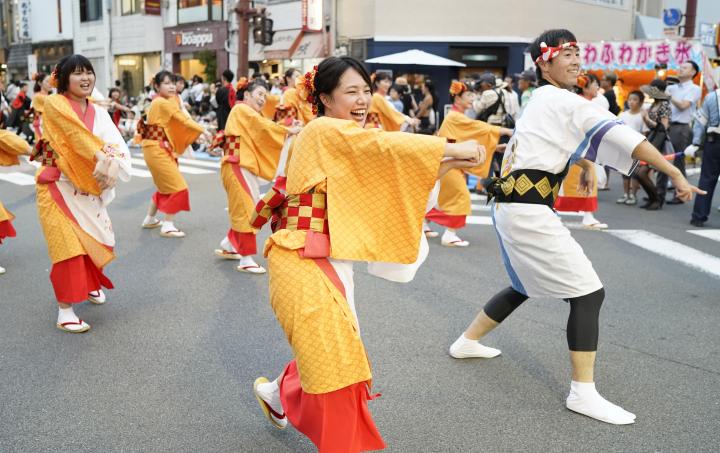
(670, 249)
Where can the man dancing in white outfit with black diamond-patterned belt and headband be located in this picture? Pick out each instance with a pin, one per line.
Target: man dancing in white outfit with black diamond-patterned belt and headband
(558, 128)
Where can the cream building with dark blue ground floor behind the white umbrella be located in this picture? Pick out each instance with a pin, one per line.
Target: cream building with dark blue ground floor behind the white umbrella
(485, 36)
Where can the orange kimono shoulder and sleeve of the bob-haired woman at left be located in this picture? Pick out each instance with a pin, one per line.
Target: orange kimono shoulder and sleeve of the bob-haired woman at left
(73, 142)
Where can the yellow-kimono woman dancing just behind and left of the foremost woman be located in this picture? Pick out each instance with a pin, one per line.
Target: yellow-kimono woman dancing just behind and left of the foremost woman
(252, 146)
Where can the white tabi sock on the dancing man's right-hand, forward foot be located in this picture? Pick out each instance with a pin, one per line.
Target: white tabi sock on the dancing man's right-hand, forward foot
(584, 399)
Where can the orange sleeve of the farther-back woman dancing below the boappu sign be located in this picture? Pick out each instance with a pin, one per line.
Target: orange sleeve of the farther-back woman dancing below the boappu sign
(180, 129)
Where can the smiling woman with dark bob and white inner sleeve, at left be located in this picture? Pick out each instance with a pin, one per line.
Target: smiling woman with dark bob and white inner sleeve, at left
(82, 155)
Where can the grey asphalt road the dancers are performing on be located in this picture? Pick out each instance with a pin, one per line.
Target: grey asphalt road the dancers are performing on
(169, 363)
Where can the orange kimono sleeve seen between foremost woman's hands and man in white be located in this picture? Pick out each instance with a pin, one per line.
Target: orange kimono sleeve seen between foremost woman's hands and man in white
(459, 127)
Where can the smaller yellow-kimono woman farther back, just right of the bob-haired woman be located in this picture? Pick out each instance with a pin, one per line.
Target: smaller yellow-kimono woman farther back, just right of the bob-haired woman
(166, 134)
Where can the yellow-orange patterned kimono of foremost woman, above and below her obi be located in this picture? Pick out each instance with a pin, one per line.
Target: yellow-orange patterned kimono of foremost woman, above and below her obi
(377, 184)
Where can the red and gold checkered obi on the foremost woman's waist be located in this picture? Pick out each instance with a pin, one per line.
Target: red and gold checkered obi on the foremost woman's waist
(305, 211)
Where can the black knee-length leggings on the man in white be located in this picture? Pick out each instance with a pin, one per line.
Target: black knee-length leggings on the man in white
(582, 327)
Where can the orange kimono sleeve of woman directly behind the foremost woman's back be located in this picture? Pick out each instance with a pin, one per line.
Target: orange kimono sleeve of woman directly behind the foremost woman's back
(261, 140)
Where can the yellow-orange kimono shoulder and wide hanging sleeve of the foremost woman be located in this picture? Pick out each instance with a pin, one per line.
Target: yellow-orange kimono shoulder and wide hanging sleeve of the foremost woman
(378, 185)
